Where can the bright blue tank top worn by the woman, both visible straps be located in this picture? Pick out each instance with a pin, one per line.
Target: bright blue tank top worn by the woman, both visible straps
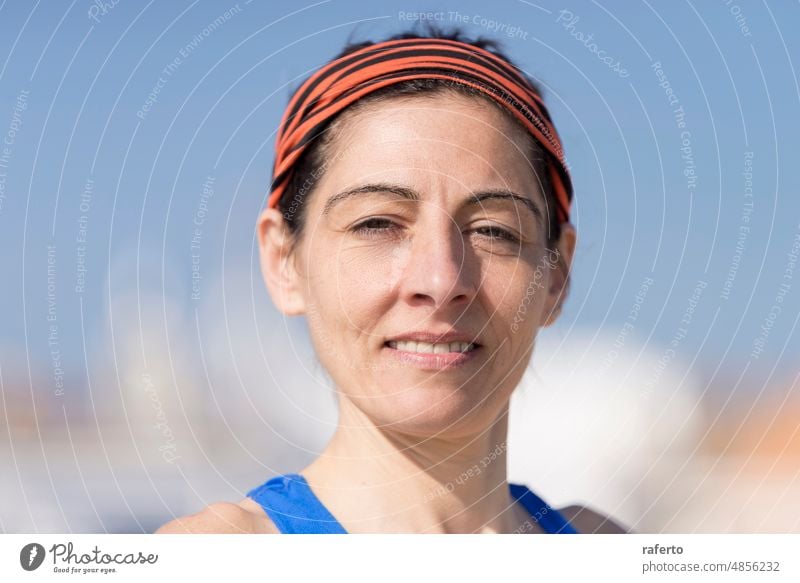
(294, 508)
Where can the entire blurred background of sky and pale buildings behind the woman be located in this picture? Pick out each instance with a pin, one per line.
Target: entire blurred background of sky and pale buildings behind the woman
(145, 373)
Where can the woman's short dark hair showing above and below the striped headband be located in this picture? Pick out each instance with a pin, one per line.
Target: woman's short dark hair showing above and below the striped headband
(311, 164)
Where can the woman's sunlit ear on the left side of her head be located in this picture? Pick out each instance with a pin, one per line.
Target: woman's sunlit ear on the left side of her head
(278, 263)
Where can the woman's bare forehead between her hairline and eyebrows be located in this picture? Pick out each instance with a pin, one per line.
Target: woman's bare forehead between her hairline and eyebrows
(431, 139)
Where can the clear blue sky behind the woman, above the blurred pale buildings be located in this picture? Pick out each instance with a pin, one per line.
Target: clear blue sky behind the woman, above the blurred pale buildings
(119, 117)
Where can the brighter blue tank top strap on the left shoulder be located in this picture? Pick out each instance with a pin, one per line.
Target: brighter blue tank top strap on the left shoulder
(293, 506)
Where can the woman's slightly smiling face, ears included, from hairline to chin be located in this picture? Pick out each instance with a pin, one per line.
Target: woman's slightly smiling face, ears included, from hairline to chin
(428, 221)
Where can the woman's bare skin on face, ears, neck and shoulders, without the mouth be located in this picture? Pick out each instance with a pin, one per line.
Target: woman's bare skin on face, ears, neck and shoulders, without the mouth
(435, 263)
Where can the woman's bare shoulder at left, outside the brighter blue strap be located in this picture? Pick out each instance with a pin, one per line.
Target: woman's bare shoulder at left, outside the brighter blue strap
(245, 517)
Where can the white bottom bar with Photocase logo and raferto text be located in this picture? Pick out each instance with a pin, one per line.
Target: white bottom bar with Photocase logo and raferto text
(423, 558)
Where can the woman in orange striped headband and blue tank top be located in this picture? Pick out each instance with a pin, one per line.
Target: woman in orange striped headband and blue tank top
(419, 219)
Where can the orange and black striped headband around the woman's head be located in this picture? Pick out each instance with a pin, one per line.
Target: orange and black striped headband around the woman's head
(342, 82)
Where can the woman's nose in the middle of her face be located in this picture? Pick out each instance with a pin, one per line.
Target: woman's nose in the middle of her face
(439, 271)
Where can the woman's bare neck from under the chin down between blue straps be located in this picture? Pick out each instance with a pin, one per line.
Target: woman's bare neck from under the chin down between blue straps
(374, 480)
